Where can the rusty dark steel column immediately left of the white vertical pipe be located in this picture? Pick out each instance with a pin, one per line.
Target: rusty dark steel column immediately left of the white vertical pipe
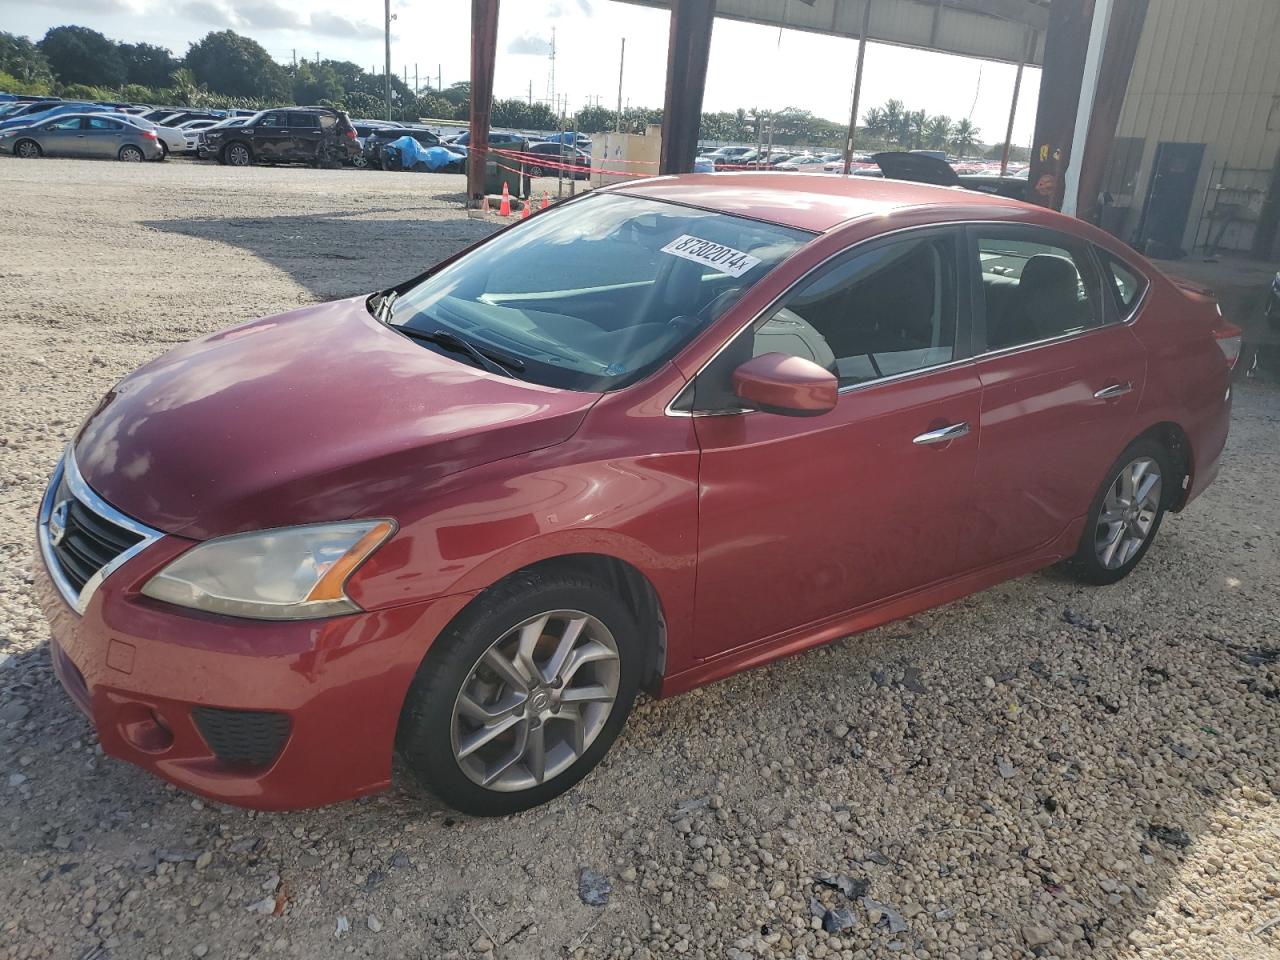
(1066, 45)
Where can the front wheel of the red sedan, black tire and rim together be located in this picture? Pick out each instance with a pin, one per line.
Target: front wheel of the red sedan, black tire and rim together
(452, 749)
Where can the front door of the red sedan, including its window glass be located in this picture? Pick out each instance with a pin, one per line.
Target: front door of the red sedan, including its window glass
(804, 519)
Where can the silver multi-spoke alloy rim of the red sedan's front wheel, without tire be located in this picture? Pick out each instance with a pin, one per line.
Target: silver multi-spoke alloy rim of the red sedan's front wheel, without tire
(536, 701)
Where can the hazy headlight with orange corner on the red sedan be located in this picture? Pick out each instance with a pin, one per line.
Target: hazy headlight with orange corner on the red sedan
(289, 574)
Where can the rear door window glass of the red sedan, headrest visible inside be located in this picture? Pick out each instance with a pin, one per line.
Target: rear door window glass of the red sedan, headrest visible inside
(1036, 286)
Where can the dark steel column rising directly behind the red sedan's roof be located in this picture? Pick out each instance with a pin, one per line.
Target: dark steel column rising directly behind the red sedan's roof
(688, 54)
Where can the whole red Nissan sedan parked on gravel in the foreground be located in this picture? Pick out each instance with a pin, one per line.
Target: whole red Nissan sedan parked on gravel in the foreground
(644, 440)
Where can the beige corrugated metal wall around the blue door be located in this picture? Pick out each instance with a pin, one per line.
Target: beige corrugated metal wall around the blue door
(1208, 72)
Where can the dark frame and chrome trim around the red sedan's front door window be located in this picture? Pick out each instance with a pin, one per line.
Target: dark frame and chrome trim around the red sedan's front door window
(964, 346)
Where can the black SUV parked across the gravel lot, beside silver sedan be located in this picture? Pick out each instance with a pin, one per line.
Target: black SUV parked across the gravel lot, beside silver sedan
(313, 135)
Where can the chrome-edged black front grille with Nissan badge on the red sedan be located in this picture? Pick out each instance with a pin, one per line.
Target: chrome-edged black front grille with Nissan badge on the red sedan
(81, 536)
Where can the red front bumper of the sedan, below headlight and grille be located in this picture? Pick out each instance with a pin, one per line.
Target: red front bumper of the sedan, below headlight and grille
(141, 670)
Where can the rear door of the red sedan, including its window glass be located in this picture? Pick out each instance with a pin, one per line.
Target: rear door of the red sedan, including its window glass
(1062, 378)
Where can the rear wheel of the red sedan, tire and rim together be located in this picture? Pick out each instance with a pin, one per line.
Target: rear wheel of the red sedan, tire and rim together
(1110, 550)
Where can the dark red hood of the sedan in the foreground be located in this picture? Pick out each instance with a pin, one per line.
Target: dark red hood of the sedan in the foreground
(317, 415)
